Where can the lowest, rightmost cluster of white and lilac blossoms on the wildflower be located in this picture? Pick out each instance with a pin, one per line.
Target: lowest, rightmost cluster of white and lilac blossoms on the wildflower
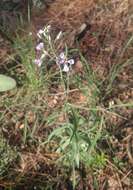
(64, 63)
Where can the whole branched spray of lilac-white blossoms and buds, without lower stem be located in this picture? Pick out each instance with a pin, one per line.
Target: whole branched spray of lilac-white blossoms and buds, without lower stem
(44, 36)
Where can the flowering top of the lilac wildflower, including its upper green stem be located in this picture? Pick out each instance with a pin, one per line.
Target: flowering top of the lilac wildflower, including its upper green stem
(47, 51)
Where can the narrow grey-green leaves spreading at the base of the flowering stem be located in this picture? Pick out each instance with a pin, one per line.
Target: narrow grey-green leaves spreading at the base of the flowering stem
(76, 141)
